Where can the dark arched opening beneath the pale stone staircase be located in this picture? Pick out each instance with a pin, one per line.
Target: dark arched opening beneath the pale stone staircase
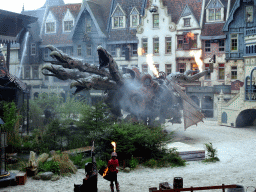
(246, 118)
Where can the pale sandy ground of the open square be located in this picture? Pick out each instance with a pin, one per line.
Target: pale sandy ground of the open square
(236, 151)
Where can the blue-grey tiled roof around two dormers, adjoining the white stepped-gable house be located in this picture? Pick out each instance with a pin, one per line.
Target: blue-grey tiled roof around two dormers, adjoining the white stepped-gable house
(127, 33)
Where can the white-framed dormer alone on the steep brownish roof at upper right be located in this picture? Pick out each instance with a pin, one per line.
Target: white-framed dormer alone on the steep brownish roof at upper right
(214, 11)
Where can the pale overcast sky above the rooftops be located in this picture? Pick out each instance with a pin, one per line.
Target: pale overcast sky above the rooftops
(16, 5)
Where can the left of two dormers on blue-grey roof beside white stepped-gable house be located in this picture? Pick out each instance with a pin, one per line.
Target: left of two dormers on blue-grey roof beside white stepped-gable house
(118, 18)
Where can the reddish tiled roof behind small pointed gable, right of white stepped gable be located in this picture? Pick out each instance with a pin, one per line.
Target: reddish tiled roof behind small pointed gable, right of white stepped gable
(176, 7)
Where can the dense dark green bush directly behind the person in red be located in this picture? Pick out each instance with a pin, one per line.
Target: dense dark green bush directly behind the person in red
(132, 140)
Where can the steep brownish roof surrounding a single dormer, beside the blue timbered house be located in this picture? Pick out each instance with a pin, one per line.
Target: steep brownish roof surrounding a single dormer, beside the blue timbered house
(214, 30)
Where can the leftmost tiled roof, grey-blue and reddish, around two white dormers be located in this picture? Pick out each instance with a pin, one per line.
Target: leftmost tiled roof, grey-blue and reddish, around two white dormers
(59, 12)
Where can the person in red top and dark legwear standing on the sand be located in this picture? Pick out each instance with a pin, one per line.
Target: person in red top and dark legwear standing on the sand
(113, 170)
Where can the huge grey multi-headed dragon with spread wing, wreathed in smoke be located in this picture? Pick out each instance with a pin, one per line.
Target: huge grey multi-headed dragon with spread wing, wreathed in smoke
(143, 97)
